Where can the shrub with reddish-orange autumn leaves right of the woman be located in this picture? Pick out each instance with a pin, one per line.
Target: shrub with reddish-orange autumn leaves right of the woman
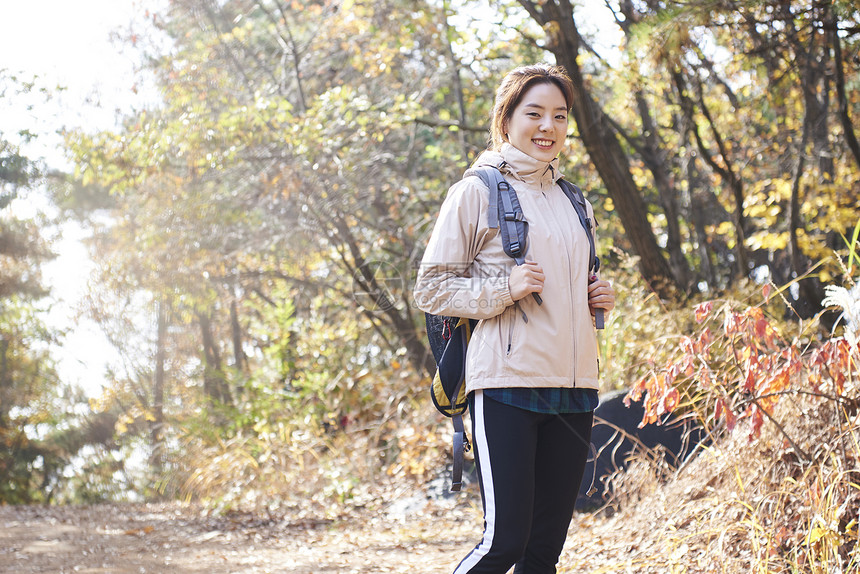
(740, 364)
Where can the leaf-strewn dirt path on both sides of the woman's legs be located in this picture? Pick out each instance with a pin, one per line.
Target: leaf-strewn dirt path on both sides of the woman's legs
(410, 536)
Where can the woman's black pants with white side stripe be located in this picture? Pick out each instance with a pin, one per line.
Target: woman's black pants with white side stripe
(530, 467)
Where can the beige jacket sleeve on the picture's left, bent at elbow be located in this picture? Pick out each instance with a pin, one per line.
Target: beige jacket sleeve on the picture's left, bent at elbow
(448, 282)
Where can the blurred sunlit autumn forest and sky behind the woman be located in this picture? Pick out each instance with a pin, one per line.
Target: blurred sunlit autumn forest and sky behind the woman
(211, 212)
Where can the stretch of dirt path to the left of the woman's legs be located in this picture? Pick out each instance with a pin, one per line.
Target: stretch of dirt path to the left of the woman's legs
(156, 538)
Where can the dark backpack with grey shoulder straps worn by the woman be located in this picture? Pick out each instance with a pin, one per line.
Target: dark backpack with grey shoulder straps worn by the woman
(449, 336)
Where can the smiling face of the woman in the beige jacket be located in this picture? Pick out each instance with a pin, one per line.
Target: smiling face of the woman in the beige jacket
(538, 125)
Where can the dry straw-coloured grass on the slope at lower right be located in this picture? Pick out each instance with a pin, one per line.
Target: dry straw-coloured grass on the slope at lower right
(740, 506)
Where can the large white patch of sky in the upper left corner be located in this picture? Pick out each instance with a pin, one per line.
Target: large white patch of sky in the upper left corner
(75, 45)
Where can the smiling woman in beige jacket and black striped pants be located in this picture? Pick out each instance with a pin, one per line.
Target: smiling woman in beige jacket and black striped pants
(531, 370)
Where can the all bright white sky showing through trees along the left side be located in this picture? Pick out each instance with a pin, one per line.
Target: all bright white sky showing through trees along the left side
(74, 44)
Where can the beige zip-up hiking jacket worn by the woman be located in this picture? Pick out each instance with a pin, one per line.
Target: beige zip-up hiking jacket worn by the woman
(465, 272)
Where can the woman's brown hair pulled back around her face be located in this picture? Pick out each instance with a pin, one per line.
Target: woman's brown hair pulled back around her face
(514, 86)
